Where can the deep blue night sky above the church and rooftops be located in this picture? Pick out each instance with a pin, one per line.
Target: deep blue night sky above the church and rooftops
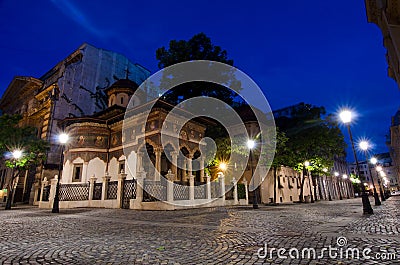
(320, 52)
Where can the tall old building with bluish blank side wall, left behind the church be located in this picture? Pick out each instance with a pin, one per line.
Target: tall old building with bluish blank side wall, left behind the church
(74, 87)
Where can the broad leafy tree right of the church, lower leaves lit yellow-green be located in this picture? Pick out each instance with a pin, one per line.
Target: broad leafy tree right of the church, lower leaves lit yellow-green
(313, 138)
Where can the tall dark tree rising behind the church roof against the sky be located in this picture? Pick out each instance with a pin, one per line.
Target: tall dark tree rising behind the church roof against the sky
(199, 47)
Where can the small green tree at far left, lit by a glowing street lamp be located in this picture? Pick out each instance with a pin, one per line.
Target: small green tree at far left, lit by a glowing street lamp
(13, 137)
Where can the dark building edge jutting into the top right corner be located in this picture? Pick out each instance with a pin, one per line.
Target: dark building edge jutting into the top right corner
(385, 14)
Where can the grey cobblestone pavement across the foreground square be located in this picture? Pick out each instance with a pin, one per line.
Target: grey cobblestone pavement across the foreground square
(201, 236)
